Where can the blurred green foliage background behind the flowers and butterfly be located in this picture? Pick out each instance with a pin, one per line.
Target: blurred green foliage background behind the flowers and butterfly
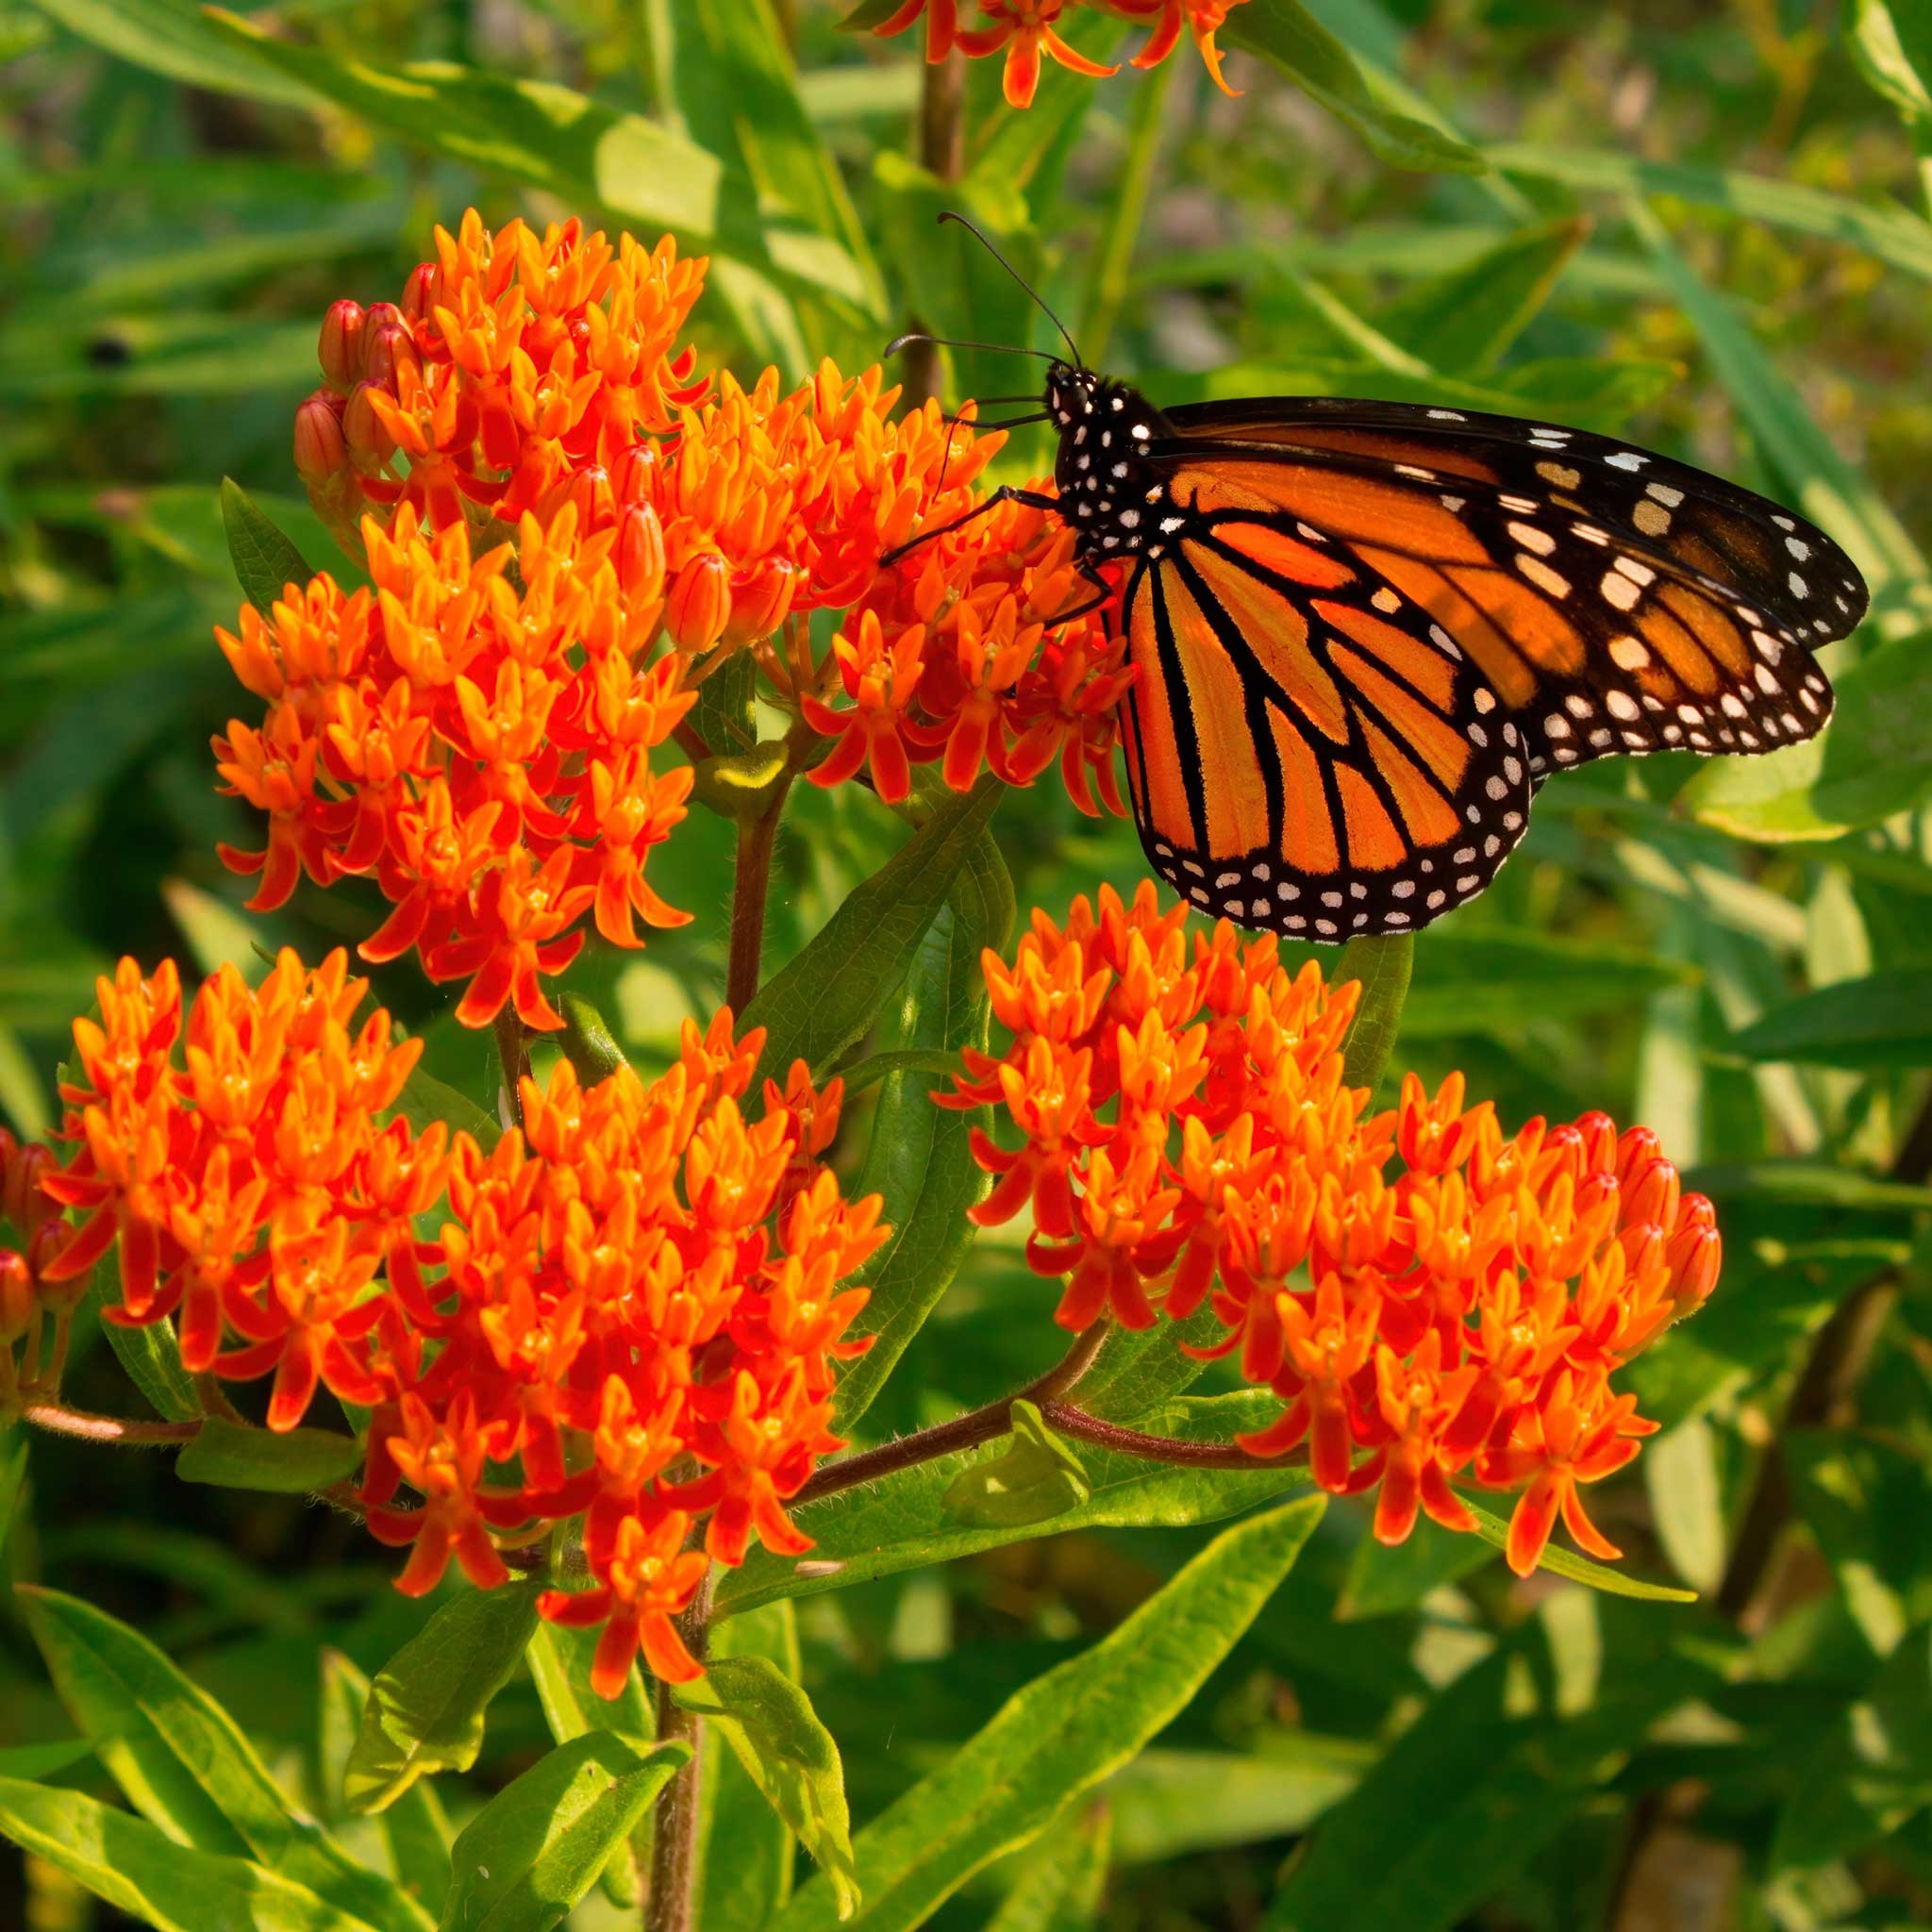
(1697, 225)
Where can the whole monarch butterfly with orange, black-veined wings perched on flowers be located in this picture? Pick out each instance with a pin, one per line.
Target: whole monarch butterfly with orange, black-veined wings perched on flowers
(1367, 633)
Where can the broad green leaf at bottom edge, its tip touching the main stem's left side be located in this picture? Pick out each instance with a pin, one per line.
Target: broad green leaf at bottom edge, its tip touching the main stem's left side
(526, 1860)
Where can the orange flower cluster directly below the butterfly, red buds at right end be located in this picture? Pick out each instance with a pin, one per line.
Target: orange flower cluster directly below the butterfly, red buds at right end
(1185, 1137)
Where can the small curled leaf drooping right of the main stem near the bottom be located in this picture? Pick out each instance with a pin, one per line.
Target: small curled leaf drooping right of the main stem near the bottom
(770, 1724)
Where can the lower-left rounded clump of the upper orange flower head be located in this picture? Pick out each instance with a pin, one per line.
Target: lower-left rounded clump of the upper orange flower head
(478, 743)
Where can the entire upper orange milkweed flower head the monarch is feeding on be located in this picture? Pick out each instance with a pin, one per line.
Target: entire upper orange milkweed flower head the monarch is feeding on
(569, 528)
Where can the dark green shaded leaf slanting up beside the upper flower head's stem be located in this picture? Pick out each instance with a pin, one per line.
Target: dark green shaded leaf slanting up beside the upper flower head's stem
(834, 992)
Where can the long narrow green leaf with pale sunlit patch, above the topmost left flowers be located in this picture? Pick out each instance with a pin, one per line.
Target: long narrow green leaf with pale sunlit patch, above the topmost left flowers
(569, 146)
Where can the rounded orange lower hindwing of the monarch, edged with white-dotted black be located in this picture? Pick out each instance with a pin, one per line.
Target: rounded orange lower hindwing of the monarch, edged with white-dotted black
(1305, 749)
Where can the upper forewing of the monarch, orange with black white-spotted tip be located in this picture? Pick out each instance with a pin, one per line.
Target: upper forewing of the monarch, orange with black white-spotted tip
(1620, 602)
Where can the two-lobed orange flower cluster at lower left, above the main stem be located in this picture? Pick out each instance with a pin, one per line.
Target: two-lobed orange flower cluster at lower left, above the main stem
(631, 1313)
